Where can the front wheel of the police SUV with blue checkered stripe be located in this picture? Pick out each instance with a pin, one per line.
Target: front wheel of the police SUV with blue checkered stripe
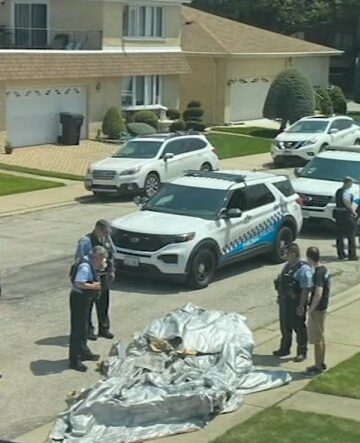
(202, 268)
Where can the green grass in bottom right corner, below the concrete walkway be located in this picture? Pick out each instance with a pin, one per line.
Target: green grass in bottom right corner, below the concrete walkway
(275, 425)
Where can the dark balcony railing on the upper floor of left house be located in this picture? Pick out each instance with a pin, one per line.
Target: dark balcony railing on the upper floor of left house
(61, 39)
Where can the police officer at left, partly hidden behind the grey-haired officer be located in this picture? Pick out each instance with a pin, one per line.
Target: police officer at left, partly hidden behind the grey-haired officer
(99, 237)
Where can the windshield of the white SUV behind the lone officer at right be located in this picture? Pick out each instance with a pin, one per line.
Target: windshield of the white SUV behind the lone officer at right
(331, 169)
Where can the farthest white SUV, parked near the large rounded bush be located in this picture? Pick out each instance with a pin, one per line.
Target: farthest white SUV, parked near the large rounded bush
(310, 135)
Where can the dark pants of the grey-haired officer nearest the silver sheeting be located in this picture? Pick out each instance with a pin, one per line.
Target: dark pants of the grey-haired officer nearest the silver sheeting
(79, 314)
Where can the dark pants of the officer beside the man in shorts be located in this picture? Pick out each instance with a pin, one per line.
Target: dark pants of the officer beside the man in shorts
(291, 322)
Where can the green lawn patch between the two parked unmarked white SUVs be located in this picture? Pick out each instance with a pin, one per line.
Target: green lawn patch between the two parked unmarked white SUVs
(228, 145)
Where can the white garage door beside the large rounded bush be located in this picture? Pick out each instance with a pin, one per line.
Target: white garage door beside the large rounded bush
(247, 98)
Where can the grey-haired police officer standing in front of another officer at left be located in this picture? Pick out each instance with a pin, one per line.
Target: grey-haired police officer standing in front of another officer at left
(85, 287)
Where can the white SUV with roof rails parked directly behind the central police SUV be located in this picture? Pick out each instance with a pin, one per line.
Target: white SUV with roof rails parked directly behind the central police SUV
(143, 163)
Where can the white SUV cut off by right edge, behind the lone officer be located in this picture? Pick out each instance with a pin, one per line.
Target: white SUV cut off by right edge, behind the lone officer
(319, 180)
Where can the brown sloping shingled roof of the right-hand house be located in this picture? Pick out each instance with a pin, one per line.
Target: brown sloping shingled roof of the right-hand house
(208, 33)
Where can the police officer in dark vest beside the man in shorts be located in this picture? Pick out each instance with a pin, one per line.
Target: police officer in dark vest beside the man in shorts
(293, 285)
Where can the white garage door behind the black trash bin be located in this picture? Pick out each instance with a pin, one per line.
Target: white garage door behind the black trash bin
(33, 113)
